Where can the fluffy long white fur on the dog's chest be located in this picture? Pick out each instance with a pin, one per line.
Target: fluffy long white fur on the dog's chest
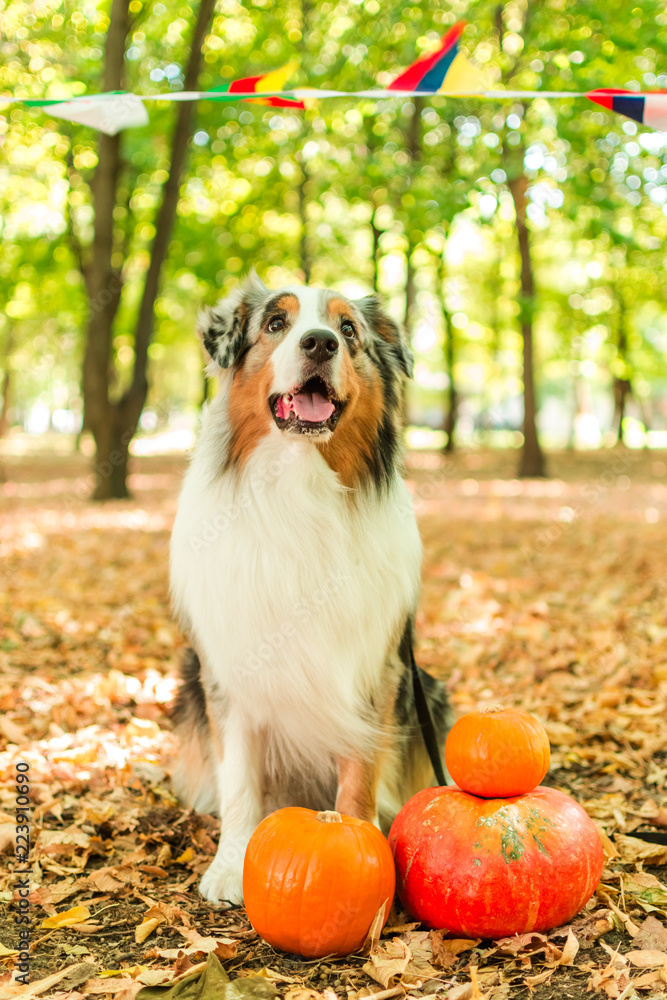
(292, 590)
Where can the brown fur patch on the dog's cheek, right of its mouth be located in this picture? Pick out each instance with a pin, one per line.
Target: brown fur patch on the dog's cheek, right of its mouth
(351, 447)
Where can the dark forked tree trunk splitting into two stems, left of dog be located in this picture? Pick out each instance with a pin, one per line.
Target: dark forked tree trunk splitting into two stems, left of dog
(113, 424)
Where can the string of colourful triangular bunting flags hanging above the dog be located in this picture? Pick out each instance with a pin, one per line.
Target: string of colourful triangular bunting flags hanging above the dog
(445, 72)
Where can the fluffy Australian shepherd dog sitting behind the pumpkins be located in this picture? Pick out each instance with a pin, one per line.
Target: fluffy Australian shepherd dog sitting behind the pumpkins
(295, 572)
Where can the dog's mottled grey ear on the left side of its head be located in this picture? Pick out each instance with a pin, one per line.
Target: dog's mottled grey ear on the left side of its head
(224, 327)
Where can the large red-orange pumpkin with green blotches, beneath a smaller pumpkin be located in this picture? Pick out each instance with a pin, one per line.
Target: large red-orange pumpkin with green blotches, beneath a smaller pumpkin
(495, 867)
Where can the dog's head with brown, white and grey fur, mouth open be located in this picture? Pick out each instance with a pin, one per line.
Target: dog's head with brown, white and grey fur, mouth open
(312, 362)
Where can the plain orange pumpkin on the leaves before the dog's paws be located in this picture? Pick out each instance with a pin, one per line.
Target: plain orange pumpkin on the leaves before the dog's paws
(314, 882)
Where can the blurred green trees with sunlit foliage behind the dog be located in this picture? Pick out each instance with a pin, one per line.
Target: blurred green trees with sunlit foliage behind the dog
(523, 243)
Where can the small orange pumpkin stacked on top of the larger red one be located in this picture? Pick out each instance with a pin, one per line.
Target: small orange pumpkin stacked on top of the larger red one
(497, 752)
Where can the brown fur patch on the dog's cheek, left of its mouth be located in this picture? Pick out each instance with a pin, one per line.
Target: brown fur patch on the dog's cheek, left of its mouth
(249, 416)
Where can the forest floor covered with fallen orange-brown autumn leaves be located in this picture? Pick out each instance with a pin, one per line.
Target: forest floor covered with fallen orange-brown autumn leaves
(548, 594)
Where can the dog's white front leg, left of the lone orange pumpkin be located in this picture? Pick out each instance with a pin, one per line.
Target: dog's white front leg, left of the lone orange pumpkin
(238, 759)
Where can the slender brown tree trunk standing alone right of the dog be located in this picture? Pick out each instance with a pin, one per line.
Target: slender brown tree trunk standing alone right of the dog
(532, 458)
